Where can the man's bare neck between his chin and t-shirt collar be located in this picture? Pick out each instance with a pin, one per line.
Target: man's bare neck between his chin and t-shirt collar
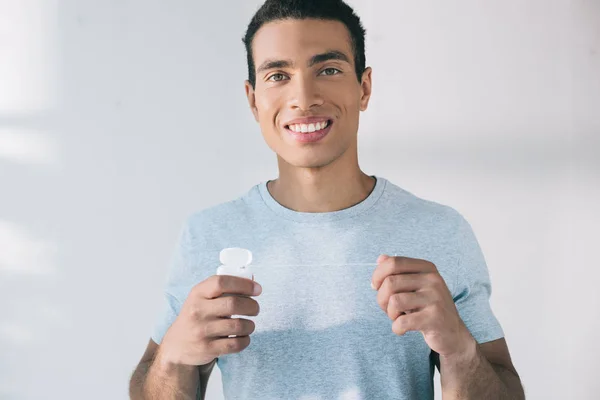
(336, 186)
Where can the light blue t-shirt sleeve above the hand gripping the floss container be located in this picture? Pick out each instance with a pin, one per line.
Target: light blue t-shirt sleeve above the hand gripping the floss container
(179, 281)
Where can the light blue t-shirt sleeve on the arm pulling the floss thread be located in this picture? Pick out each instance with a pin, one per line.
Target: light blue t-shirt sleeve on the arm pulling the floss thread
(473, 287)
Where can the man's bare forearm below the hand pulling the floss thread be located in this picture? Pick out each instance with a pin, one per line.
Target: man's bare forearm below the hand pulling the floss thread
(483, 372)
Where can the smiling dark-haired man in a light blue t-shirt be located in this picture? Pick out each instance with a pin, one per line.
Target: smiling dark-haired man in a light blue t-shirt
(363, 287)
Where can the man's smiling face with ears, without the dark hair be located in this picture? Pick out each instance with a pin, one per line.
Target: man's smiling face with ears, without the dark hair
(306, 81)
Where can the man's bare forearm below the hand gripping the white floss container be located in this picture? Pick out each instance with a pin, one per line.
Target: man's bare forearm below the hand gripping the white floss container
(155, 378)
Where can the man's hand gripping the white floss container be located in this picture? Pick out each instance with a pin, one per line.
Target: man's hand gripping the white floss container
(201, 331)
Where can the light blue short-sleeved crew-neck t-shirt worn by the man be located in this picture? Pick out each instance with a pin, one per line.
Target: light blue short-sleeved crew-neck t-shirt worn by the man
(320, 333)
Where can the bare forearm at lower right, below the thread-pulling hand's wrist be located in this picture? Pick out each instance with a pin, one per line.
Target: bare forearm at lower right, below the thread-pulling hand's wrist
(472, 376)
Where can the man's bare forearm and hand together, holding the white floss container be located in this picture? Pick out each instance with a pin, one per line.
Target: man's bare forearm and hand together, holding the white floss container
(179, 368)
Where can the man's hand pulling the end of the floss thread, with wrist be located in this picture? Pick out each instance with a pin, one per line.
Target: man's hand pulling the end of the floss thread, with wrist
(416, 298)
